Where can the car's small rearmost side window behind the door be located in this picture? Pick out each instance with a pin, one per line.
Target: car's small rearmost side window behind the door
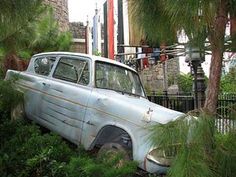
(43, 65)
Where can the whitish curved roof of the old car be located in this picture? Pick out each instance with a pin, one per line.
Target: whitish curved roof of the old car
(92, 57)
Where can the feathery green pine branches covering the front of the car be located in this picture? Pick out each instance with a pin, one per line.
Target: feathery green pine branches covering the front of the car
(193, 139)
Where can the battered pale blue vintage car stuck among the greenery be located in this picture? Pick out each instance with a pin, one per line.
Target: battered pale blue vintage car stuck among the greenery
(92, 101)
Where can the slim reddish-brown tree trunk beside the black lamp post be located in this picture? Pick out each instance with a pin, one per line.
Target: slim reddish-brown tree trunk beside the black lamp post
(217, 33)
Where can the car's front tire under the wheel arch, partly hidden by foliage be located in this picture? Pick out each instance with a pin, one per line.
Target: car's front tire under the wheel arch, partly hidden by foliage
(109, 151)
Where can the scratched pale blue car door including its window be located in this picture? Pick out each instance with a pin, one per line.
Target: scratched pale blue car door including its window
(65, 97)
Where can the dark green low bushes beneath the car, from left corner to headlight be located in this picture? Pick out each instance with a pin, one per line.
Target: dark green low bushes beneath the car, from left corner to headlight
(25, 151)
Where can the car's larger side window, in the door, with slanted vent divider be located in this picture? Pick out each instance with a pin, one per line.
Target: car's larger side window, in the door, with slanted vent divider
(74, 70)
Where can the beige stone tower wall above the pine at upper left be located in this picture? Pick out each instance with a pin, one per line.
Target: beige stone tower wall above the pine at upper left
(61, 12)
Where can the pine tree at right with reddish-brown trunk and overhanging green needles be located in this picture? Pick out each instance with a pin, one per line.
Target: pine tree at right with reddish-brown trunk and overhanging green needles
(161, 20)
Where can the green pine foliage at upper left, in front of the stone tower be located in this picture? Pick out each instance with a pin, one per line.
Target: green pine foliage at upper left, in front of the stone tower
(37, 31)
